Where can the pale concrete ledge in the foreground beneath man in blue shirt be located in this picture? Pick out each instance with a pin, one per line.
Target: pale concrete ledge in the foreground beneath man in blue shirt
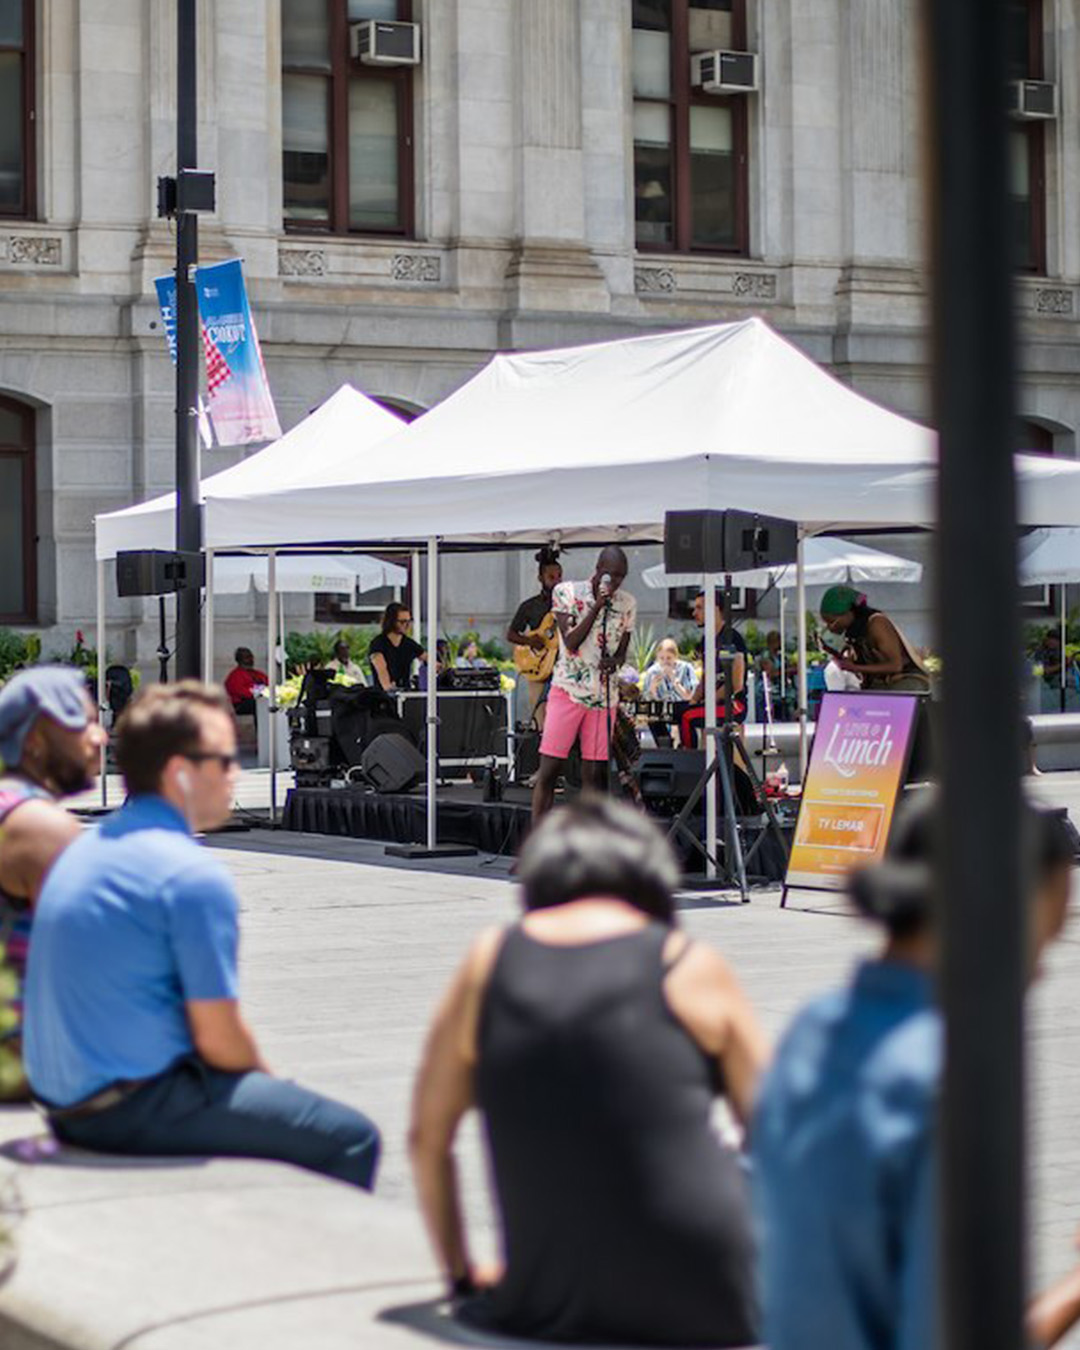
(187, 1255)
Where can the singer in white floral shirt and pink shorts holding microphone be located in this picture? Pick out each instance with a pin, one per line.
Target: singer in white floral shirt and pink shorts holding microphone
(596, 620)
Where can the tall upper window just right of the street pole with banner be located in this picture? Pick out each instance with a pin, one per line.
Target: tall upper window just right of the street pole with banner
(348, 132)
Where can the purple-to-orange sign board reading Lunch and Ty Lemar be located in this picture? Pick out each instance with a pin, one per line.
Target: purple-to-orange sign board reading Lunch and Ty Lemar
(858, 767)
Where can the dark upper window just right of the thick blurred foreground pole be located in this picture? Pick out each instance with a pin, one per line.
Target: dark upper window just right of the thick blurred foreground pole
(1028, 141)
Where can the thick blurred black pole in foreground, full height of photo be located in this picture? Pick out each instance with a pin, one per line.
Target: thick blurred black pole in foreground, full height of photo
(982, 1276)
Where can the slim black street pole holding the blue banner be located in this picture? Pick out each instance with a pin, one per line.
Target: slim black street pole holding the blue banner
(190, 522)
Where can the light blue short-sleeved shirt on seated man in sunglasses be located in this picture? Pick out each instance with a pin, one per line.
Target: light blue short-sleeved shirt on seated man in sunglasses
(136, 919)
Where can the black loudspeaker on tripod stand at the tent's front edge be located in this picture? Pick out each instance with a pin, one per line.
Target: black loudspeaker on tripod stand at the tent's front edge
(727, 542)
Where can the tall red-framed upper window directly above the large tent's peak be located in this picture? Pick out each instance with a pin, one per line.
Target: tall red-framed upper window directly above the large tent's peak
(689, 148)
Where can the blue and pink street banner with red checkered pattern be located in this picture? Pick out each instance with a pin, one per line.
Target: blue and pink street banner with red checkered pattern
(241, 406)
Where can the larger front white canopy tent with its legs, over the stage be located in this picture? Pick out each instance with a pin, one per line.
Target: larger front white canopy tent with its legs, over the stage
(596, 443)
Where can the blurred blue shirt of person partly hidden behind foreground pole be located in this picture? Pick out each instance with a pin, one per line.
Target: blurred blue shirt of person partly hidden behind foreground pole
(844, 1168)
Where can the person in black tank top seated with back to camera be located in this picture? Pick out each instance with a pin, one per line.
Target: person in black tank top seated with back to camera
(595, 1037)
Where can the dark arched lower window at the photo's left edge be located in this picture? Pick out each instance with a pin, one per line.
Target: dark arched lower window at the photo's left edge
(18, 515)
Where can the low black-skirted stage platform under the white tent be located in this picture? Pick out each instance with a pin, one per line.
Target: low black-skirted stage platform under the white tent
(464, 819)
